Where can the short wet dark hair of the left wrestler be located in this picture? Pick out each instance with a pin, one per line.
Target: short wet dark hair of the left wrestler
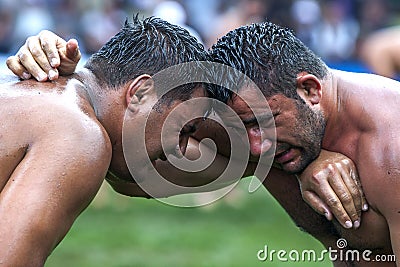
(146, 47)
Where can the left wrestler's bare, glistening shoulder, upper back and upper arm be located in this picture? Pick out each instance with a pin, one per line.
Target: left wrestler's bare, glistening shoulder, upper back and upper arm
(53, 157)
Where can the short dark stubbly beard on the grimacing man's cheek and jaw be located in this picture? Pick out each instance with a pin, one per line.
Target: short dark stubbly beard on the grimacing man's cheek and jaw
(309, 130)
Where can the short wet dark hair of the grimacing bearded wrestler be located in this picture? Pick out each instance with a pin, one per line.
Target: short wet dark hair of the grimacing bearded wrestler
(270, 55)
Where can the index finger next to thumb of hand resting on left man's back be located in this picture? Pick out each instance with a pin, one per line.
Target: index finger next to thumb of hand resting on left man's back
(50, 43)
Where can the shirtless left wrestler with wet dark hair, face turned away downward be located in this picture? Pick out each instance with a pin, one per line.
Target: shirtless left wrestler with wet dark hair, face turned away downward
(59, 139)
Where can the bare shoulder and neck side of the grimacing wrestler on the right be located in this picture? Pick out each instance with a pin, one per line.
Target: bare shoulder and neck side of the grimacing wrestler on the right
(365, 113)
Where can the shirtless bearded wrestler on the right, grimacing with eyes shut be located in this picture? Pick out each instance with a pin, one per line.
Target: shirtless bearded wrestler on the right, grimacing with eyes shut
(316, 107)
